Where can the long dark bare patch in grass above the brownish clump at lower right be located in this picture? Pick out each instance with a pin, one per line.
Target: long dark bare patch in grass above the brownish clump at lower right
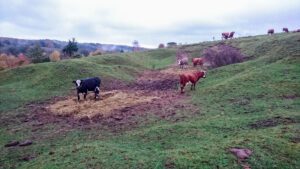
(272, 122)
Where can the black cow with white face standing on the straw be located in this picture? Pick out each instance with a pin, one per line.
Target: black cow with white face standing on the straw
(88, 84)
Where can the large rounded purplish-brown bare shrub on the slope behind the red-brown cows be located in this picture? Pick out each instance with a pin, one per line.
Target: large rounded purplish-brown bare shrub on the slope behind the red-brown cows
(222, 55)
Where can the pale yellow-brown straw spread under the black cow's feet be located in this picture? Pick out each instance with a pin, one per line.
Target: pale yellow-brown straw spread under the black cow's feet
(111, 100)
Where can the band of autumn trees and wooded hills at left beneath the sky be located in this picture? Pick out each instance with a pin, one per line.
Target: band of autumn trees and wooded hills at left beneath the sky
(16, 52)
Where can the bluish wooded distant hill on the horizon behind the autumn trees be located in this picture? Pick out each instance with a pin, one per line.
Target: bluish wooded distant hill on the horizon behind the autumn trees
(15, 46)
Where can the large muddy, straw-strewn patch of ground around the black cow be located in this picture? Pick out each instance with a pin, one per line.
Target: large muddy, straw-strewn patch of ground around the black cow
(122, 106)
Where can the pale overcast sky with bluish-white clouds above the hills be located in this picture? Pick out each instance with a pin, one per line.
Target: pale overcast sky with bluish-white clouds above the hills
(150, 22)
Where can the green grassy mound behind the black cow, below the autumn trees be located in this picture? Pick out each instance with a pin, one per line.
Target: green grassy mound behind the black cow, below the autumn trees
(37, 82)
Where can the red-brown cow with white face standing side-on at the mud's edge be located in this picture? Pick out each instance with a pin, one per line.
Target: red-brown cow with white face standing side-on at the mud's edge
(192, 77)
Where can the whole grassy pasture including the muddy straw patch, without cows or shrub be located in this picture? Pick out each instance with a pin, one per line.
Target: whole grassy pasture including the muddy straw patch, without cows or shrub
(142, 120)
